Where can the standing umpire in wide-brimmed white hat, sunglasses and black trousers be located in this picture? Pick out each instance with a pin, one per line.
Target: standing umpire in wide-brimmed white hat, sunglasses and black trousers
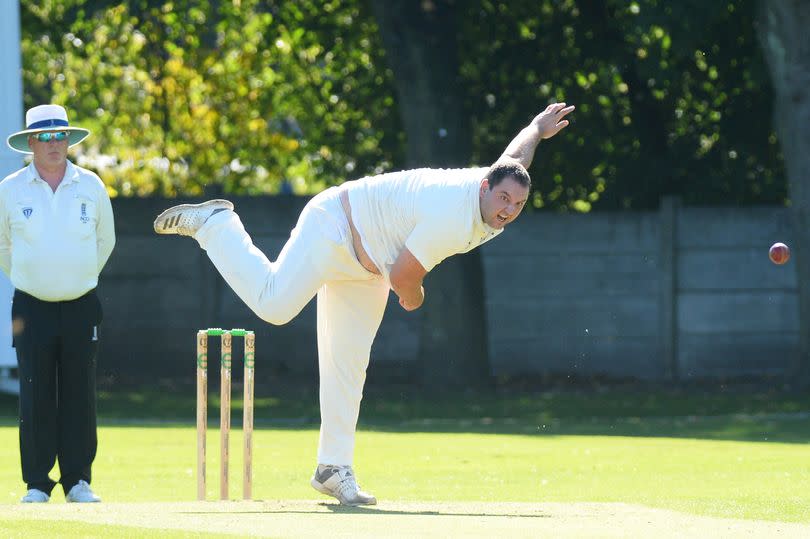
(56, 233)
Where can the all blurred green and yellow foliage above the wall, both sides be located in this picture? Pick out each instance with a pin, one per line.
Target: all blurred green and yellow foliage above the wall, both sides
(252, 97)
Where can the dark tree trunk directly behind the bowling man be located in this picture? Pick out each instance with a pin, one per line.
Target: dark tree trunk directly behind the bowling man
(419, 39)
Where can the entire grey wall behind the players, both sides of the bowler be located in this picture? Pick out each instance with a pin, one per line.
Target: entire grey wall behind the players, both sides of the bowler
(686, 292)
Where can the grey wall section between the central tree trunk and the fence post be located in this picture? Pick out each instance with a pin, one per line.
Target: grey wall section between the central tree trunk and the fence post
(576, 294)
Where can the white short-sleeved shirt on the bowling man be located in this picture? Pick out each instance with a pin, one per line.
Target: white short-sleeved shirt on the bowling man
(435, 213)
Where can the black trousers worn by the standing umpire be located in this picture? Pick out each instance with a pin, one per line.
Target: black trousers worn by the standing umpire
(56, 345)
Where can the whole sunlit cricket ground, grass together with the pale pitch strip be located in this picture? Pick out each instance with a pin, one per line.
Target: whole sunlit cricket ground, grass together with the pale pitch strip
(724, 475)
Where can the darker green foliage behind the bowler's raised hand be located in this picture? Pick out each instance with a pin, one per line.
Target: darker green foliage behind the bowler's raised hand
(672, 98)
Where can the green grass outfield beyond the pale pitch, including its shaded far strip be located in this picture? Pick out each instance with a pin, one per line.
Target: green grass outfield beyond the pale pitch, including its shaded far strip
(735, 455)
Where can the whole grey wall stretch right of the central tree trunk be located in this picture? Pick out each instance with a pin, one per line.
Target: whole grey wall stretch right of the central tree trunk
(683, 292)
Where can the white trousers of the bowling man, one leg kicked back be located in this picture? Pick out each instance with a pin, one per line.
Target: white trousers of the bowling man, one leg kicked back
(317, 259)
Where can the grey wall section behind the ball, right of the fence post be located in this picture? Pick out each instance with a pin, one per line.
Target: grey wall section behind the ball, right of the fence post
(737, 312)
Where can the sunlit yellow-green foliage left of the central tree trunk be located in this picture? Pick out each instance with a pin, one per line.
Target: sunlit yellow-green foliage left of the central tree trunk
(233, 95)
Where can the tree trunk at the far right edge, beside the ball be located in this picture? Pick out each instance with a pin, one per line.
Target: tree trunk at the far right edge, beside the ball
(782, 29)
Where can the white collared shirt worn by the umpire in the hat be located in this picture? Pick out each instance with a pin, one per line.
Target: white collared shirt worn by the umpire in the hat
(53, 244)
